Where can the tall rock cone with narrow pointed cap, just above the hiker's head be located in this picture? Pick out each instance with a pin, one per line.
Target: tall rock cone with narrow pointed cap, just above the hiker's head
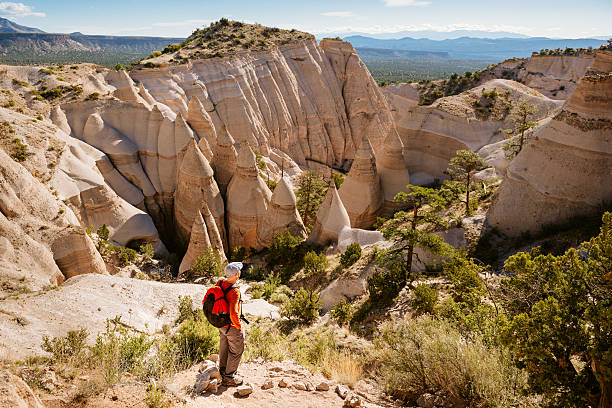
(248, 199)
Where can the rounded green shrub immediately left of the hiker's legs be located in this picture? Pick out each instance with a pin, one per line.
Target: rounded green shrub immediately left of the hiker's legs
(195, 341)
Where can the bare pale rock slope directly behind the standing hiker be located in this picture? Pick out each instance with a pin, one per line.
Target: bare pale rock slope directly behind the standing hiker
(87, 301)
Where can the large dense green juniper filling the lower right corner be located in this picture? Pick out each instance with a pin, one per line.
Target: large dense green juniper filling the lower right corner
(560, 328)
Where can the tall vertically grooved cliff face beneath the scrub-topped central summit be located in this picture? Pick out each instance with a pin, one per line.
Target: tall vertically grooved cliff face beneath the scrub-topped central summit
(311, 101)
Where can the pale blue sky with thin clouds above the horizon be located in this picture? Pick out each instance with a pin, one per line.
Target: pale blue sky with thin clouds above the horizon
(551, 18)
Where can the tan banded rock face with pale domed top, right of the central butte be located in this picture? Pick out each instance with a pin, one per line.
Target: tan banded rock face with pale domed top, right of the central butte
(431, 135)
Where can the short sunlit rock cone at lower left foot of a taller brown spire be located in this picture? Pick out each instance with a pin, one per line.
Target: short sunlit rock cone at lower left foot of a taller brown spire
(331, 218)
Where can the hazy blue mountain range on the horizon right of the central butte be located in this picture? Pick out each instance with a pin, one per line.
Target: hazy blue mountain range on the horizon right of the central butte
(475, 48)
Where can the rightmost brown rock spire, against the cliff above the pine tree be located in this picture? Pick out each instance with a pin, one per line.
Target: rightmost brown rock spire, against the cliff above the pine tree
(393, 172)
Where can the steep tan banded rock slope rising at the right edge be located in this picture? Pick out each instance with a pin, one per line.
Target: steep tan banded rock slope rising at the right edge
(566, 170)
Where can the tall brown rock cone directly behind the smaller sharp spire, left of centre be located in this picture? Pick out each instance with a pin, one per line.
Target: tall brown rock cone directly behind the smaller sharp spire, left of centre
(196, 185)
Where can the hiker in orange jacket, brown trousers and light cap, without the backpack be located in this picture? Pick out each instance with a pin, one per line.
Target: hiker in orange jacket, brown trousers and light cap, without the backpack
(231, 344)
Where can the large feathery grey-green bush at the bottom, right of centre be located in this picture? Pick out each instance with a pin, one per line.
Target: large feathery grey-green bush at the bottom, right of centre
(428, 355)
